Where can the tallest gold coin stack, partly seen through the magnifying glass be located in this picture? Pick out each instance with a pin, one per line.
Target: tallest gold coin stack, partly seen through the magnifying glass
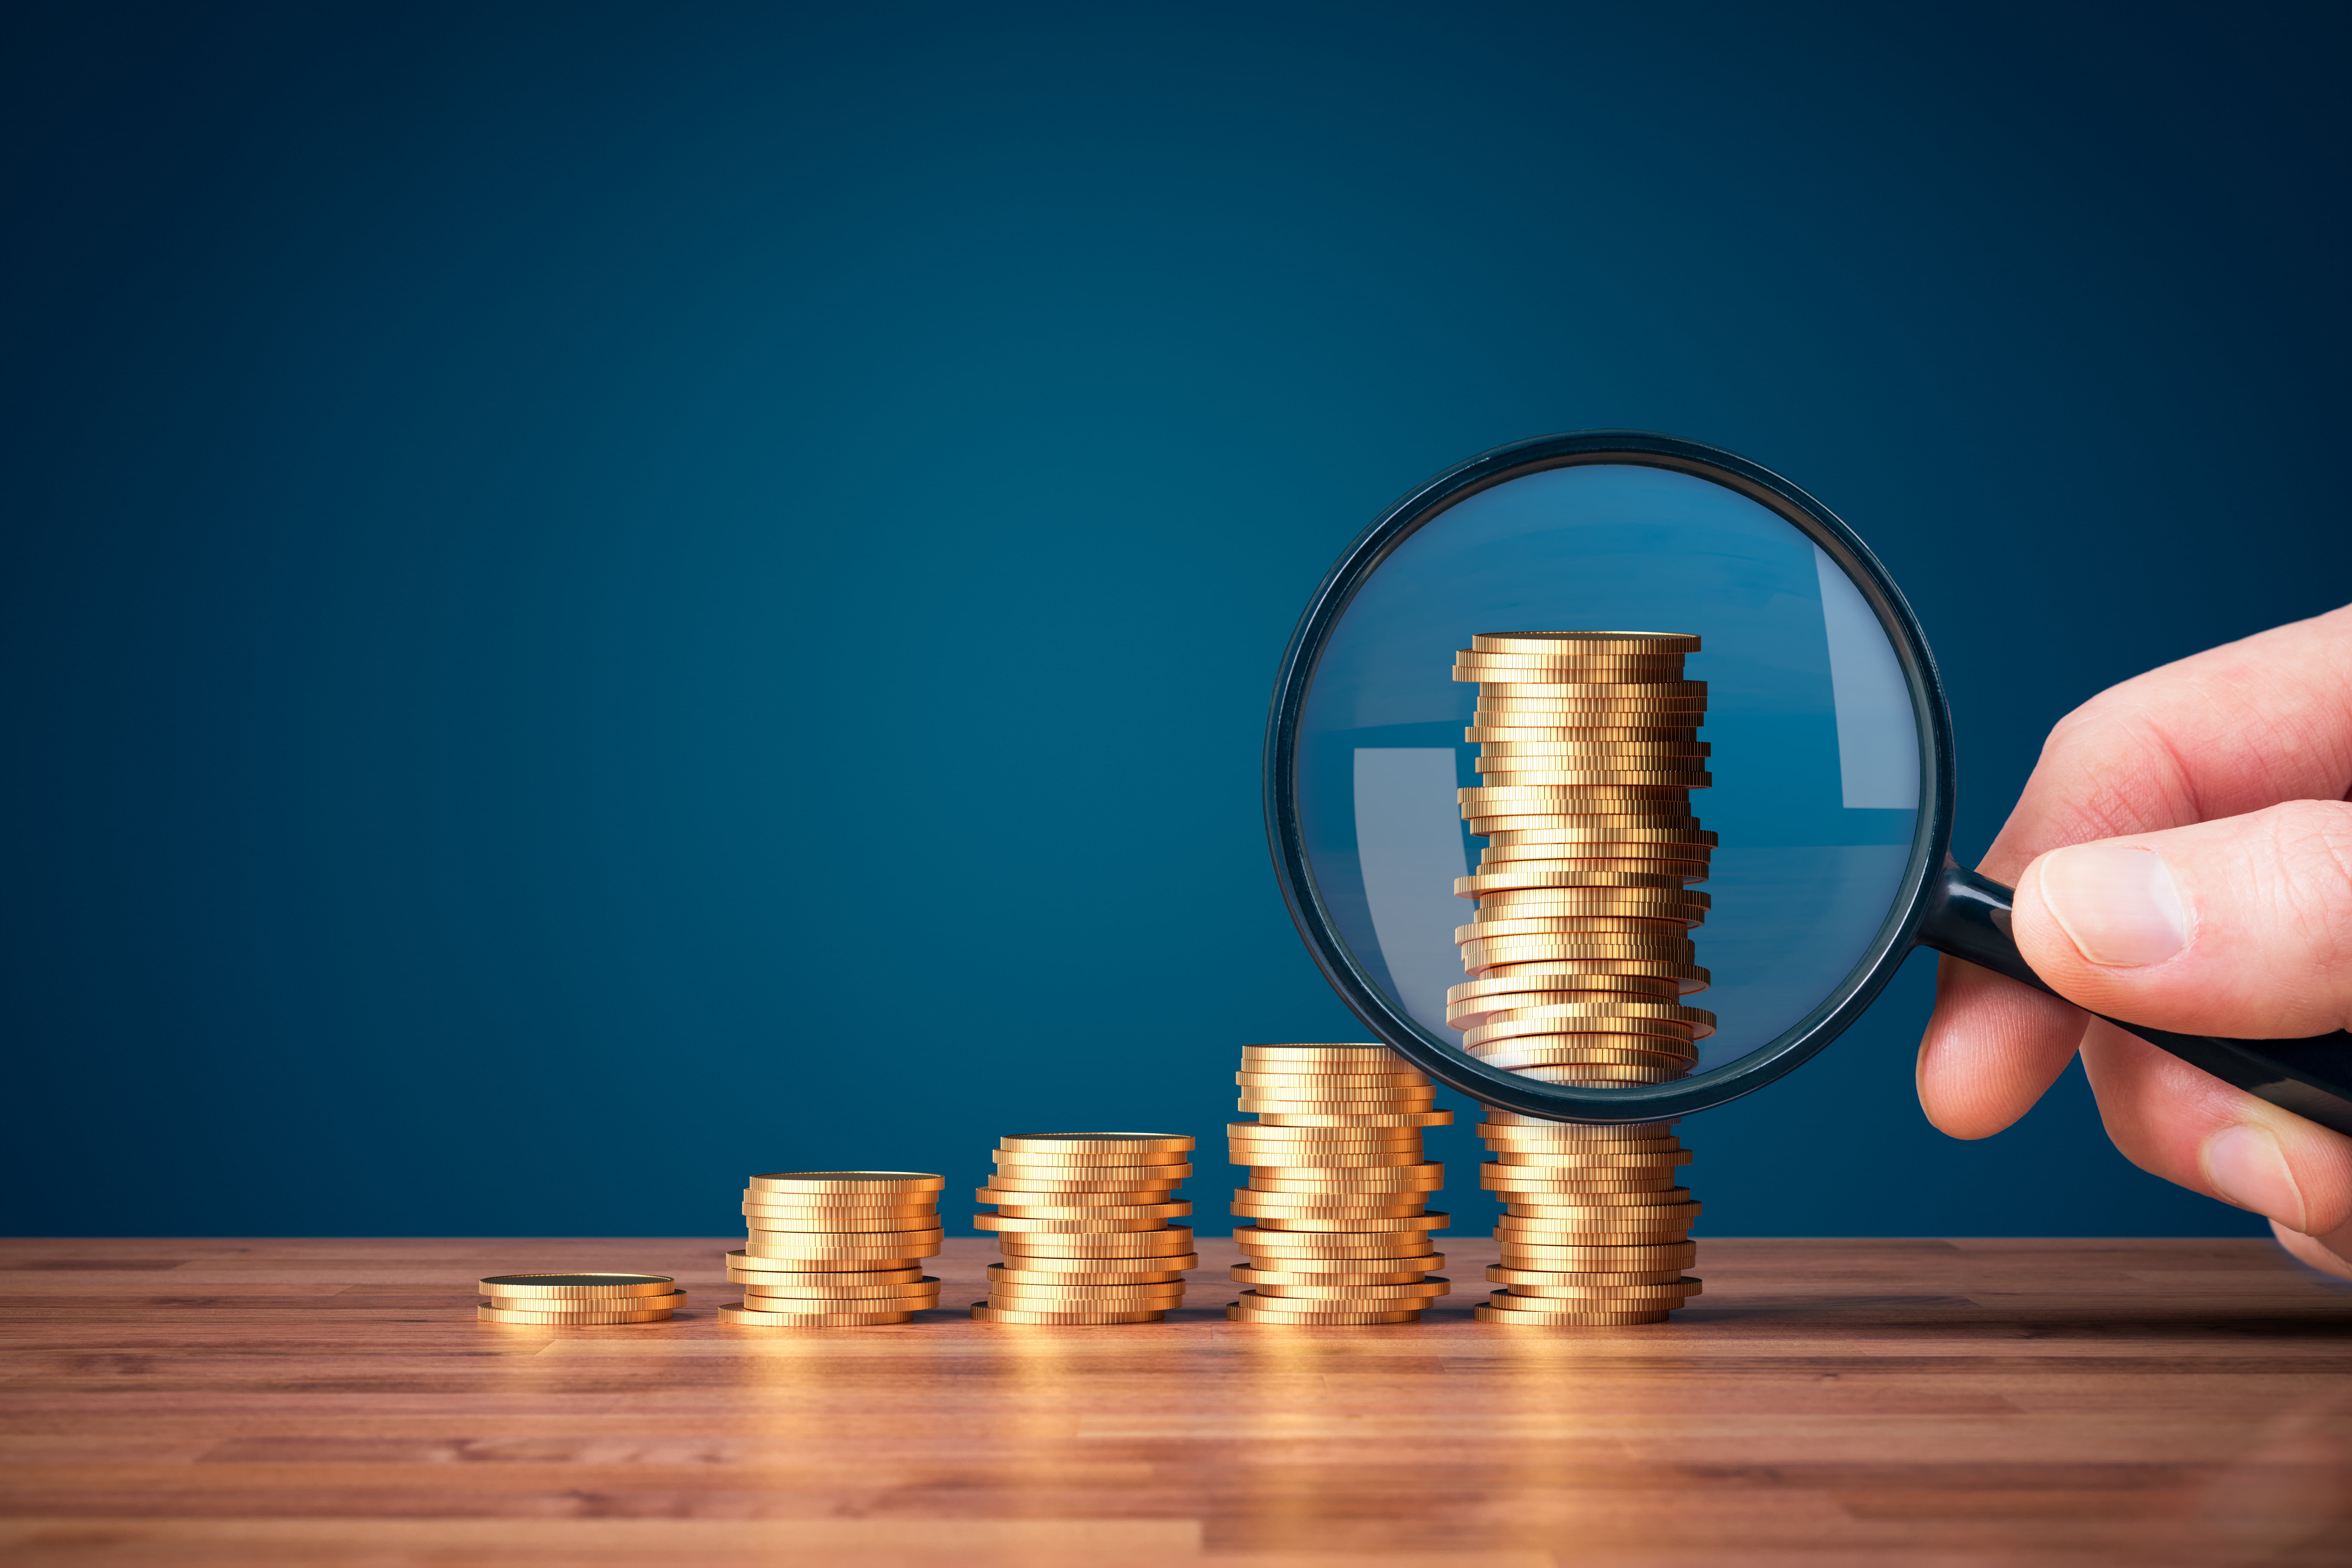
(1582, 956)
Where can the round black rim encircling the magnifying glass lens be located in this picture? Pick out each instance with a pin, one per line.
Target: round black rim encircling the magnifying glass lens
(1445, 1061)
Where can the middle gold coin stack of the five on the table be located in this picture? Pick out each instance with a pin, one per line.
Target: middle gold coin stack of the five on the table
(1083, 1228)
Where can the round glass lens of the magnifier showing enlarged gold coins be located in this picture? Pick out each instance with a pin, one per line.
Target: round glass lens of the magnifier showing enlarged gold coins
(1749, 791)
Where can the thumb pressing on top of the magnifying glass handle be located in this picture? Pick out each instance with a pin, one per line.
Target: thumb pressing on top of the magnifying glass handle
(2238, 927)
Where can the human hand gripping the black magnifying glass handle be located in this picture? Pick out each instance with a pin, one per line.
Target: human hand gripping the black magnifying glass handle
(2184, 859)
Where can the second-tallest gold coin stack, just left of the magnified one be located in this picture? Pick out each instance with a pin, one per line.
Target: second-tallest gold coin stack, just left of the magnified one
(1337, 1202)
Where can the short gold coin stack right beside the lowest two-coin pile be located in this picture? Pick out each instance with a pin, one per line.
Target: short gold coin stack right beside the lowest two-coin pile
(836, 1249)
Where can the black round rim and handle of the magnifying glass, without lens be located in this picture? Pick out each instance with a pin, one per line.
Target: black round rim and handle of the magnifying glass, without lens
(1939, 904)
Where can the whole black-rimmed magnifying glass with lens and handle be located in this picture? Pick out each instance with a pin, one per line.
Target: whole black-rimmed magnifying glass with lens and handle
(1829, 763)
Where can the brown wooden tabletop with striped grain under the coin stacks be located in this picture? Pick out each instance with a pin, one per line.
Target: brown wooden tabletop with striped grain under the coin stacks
(1824, 1402)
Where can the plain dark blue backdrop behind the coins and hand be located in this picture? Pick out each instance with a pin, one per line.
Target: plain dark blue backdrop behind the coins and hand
(596, 601)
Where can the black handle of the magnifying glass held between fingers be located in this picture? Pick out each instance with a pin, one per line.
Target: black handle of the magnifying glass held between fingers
(1967, 916)
